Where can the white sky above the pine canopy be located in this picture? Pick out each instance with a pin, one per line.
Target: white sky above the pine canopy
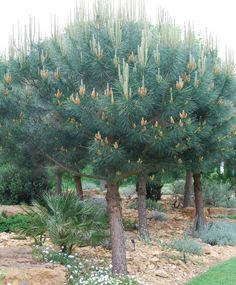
(218, 17)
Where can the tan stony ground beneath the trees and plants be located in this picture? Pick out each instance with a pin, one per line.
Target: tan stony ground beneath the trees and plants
(153, 263)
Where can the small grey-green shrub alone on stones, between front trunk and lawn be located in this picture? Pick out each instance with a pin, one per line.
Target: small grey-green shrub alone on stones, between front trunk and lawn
(186, 246)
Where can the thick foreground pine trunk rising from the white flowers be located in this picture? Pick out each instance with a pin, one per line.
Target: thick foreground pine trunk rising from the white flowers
(116, 229)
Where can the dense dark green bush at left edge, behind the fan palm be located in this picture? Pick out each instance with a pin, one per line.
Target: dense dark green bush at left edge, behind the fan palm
(20, 184)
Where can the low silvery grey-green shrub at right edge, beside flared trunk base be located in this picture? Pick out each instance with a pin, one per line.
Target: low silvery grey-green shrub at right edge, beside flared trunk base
(219, 233)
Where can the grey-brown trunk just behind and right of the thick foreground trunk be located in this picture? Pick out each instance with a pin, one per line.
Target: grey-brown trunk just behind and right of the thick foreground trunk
(142, 215)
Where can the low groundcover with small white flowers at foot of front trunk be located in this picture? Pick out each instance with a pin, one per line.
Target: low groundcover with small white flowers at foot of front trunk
(82, 271)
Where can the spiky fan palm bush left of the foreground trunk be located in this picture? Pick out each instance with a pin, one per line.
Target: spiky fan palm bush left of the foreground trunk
(67, 220)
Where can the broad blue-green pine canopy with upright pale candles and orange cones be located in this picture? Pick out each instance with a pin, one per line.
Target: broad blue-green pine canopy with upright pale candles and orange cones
(122, 94)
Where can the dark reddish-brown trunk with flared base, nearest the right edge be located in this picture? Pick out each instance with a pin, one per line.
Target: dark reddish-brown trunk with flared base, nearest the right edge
(200, 219)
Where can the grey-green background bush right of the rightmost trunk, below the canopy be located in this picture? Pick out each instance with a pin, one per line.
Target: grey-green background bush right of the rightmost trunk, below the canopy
(217, 194)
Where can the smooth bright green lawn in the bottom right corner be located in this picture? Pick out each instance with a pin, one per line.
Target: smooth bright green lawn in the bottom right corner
(222, 274)
